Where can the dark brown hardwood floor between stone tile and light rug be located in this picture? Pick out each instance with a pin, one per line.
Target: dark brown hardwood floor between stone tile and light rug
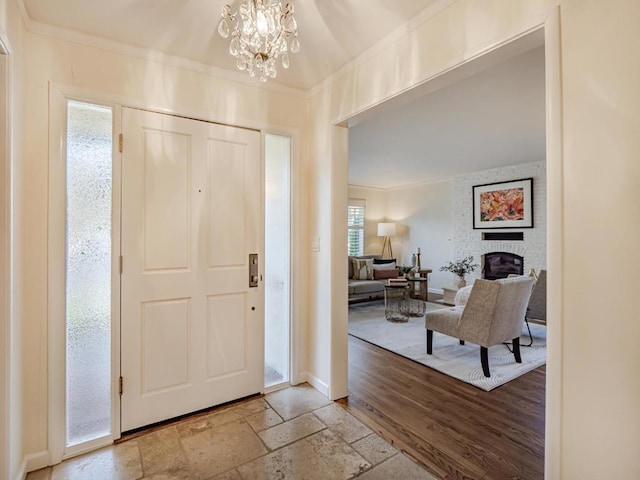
(455, 430)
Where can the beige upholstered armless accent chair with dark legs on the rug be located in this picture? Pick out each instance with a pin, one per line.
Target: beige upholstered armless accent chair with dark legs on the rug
(494, 313)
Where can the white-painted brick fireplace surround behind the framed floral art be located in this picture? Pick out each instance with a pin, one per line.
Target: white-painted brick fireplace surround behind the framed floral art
(467, 241)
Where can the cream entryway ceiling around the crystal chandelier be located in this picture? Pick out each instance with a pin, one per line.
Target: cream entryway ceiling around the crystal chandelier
(331, 32)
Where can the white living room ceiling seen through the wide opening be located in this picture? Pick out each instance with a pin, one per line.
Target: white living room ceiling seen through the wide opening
(491, 119)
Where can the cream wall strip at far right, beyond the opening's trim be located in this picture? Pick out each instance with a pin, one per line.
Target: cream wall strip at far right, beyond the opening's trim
(600, 381)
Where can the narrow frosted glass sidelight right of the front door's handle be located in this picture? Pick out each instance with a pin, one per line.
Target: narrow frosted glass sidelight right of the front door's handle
(277, 258)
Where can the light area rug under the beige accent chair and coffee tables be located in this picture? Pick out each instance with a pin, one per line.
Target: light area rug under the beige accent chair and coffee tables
(367, 322)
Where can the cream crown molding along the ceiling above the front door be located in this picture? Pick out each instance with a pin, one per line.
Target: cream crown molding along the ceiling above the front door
(150, 55)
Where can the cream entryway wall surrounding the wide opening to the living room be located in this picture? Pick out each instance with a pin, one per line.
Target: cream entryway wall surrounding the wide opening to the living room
(593, 423)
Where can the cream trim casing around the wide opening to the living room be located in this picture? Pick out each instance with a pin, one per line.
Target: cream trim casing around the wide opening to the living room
(551, 29)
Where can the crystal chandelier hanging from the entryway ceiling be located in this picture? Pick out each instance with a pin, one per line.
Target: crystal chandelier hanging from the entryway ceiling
(260, 32)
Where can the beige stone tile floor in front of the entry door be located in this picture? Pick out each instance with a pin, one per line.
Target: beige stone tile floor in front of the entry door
(291, 434)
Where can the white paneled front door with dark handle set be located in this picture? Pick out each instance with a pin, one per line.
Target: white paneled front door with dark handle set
(192, 328)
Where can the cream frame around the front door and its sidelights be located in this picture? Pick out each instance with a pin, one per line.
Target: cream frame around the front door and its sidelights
(58, 93)
